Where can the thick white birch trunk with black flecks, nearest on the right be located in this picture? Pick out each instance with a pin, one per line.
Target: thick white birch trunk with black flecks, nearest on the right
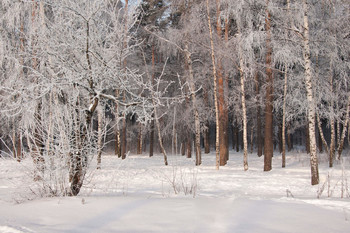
(310, 97)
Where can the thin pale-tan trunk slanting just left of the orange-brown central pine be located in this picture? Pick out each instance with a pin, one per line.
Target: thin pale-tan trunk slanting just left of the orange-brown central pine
(215, 91)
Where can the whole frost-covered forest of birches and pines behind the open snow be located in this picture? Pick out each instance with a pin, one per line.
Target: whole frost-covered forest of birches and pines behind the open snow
(213, 83)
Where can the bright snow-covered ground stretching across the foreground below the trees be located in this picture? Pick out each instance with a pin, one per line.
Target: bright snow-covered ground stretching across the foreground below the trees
(140, 194)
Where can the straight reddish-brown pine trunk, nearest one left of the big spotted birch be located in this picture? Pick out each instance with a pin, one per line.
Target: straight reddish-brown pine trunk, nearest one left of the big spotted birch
(268, 139)
